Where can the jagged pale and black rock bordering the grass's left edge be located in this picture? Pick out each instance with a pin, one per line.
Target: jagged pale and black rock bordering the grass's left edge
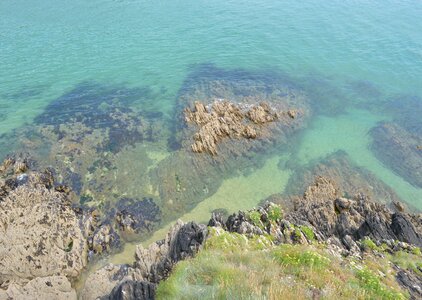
(152, 264)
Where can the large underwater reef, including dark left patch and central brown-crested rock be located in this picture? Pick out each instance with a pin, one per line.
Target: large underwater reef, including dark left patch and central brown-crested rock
(108, 148)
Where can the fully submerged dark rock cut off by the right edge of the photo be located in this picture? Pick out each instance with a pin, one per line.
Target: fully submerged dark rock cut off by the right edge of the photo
(398, 149)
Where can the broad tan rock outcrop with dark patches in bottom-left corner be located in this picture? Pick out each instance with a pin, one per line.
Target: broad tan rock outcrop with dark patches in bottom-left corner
(42, 234)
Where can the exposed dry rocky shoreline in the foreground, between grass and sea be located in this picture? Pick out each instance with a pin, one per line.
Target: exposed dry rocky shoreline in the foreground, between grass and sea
(47, 240)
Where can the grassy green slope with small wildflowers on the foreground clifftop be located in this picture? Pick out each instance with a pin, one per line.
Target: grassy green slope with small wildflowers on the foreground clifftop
(232, 266)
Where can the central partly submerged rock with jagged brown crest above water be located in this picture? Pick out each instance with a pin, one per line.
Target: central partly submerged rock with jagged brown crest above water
(212, 125)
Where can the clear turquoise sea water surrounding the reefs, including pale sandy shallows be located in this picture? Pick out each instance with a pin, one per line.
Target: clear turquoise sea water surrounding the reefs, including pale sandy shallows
(351, 58)
